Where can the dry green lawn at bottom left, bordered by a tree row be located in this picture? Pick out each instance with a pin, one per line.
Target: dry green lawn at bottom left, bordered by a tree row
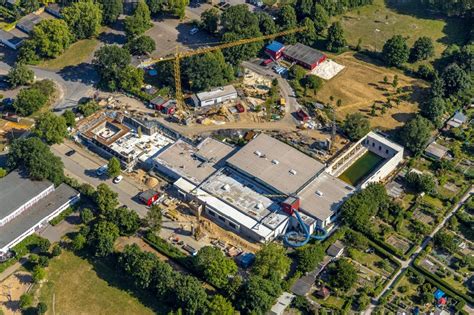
(78, 287)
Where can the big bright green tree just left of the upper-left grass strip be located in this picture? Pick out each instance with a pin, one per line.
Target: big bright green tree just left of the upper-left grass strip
(51, 37)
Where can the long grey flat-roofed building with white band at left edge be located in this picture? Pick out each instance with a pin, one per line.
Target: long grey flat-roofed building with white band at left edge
(28, 205)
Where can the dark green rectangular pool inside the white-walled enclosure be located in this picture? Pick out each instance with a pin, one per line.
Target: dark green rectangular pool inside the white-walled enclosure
(361, 168)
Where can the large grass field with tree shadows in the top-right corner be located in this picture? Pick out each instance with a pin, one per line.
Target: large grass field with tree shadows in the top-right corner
(404, 20)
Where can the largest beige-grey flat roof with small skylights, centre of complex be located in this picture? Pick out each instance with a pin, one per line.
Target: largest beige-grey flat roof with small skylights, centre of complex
(275, 164)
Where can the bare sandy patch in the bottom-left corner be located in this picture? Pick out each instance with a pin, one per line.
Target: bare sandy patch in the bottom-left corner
(10, 291)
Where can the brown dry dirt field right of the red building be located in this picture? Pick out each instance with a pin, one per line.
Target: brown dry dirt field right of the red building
(361, 84)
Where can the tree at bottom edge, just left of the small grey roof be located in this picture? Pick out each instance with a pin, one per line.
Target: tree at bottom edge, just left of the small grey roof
(257, 295)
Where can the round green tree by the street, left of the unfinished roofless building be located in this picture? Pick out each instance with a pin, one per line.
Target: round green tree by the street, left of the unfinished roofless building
(51, 128)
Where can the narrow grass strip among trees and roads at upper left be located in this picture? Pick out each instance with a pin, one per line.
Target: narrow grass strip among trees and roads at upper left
(76, 54)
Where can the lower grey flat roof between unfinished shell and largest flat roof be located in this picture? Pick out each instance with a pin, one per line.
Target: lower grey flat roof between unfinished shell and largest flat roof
(194, 163)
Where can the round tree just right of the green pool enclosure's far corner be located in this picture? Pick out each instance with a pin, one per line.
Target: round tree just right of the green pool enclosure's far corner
(416, 133)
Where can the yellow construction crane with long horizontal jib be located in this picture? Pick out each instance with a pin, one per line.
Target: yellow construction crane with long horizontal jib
(176, 58)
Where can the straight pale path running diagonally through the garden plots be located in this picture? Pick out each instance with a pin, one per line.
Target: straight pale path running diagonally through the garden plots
(406, 263)
